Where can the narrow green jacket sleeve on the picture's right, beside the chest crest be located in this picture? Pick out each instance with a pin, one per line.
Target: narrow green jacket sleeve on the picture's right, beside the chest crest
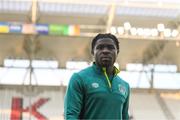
(125, 114)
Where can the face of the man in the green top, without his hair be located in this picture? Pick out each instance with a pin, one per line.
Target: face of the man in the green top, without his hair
(105, 52)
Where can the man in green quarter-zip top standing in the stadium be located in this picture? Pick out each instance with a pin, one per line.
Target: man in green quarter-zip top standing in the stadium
(97, 92)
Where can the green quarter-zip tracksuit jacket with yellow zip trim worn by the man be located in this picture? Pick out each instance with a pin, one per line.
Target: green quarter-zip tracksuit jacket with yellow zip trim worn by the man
(90, 96)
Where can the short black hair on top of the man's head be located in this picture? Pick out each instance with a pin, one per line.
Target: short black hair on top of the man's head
(105, 35)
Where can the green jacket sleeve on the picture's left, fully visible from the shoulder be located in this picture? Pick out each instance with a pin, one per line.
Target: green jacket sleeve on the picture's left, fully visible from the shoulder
(74, 98)
